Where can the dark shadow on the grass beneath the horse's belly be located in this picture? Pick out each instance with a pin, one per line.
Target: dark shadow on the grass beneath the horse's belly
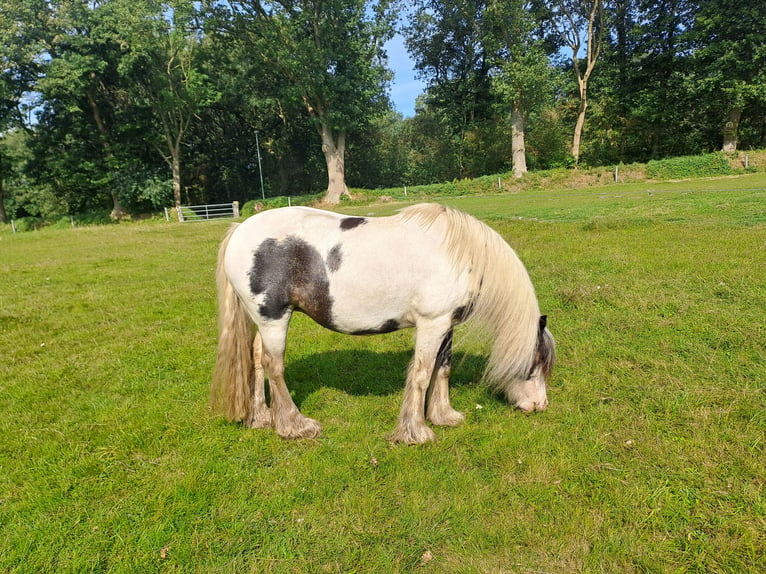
(366, 373)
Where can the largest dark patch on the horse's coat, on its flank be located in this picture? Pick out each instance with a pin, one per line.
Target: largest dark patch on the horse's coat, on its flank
(291, 274)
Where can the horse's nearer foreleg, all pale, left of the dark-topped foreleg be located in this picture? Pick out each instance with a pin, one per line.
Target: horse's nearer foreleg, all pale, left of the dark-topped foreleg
(411, 427)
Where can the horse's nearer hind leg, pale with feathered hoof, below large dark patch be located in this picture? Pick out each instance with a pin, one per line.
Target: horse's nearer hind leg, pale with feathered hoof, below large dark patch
(287, 419)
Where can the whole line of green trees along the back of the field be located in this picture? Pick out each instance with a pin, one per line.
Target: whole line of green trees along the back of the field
(133, 105)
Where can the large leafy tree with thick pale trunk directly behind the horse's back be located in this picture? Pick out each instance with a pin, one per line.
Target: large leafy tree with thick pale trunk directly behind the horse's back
(324, 57)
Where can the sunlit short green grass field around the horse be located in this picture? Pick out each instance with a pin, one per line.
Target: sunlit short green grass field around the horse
(650, 457)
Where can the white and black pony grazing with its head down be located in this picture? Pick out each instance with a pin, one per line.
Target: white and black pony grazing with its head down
(429, 267)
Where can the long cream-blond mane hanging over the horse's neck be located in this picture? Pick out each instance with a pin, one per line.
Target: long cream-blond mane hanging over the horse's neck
(505, 299)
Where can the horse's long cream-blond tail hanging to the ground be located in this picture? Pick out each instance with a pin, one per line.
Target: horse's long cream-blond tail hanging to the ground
(230, 392)
